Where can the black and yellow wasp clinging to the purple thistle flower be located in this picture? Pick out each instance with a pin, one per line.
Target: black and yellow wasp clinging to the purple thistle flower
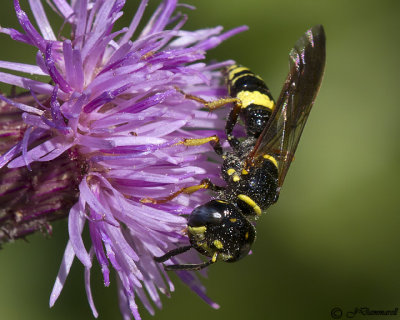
(256, 166)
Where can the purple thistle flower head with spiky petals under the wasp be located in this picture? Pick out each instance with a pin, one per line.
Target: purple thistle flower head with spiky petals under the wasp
(102, 135)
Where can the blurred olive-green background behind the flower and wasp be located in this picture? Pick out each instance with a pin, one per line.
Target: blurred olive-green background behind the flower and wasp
(332, 239)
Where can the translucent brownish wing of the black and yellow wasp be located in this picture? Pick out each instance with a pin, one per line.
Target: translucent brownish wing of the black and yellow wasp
(283, 130)
